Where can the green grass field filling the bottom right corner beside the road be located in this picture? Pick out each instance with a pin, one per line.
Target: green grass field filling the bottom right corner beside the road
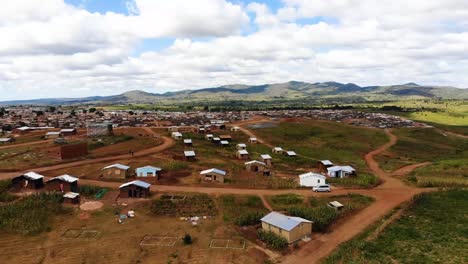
(431, 230)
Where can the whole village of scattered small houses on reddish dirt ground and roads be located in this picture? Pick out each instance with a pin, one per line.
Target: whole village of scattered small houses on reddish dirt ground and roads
(217, 182)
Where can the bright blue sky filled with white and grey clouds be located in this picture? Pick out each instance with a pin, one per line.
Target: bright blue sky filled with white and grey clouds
(75, 48)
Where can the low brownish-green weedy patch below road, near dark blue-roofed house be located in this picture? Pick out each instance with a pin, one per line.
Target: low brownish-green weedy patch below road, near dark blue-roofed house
(192, 205)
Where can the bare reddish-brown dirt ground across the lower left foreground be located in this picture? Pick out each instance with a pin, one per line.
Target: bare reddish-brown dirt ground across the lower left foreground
(93, 240)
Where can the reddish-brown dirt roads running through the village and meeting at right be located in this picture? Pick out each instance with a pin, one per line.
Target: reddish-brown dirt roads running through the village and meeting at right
(389, 195)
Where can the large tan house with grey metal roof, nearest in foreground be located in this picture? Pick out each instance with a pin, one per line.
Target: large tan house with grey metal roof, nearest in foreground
(289, 227)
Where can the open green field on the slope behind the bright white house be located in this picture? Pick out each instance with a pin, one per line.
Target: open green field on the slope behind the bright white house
(319, 140)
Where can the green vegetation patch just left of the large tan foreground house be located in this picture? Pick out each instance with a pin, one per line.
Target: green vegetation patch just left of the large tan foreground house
(242, 210)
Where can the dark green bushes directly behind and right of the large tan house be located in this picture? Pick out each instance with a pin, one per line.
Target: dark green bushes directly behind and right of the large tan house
(322, 216)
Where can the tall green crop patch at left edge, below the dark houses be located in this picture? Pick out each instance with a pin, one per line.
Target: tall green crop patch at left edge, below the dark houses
(32, 214)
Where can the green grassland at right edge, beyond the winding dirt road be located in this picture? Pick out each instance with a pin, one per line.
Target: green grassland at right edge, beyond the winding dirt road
(448, 155)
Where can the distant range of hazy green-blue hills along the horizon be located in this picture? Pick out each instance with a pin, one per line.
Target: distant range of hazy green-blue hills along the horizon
(329, 92)
